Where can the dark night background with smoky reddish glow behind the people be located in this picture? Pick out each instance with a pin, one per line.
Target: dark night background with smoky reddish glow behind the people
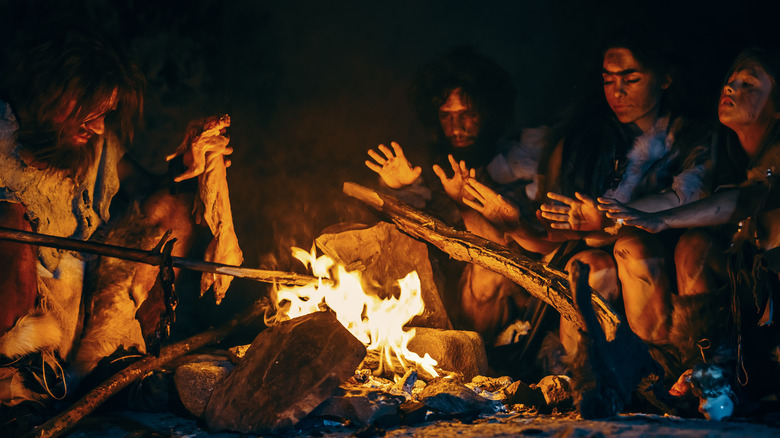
(310, 86)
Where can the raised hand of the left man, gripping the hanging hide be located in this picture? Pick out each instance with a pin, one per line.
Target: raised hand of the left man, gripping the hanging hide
(204, 143)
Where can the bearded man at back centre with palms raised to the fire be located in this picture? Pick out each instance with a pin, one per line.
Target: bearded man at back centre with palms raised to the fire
(465, 102)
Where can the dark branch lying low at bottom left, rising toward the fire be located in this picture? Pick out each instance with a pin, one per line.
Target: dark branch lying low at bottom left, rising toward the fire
(89, 402)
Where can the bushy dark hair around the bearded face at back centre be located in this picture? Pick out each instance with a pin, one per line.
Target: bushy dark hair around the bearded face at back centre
(485, 85)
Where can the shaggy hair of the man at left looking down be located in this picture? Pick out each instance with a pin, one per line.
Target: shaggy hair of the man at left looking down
(59, 64)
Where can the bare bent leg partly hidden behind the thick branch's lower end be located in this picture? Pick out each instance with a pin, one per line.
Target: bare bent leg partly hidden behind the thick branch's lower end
(602, 278)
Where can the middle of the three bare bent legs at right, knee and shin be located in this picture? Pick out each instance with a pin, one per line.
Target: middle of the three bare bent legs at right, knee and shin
(641, 261)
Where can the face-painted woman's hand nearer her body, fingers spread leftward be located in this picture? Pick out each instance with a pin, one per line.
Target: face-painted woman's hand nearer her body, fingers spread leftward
(580, 214)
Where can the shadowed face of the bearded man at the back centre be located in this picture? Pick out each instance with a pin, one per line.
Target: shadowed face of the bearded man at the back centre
(459, 121)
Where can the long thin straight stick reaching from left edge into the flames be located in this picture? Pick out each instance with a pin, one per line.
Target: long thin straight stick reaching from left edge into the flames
(152, 258)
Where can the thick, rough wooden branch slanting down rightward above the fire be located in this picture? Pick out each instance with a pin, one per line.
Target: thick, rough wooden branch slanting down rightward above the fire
(548, 284)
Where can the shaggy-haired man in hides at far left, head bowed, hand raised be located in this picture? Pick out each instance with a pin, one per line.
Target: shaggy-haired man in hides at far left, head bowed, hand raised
(70, 101)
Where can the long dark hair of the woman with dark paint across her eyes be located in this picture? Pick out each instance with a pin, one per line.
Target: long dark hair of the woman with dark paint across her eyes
(594, 142)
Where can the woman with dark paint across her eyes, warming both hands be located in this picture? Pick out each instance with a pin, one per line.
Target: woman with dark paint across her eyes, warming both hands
(634, 143)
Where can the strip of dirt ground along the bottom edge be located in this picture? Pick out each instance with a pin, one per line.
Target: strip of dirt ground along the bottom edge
(134, 424)
